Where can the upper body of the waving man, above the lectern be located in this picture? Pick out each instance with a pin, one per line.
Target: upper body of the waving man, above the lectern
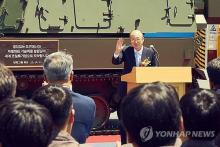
(135, 54)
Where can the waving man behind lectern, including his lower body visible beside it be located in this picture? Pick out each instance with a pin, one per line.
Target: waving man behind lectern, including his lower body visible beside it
(134, 55)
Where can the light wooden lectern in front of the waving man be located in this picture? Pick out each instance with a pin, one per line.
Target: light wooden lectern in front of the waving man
(176, 76)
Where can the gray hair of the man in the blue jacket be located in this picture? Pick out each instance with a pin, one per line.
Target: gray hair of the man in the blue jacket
(58, 66)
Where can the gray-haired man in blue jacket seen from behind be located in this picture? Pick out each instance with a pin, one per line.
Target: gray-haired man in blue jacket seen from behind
(58, 69)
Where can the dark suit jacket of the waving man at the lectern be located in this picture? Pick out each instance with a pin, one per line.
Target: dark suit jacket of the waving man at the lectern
(128, 57)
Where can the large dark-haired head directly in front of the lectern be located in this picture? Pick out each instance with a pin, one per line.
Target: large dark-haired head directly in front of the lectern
(148, 109)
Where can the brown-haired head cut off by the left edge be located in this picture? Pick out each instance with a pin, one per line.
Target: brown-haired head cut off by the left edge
(8, 83)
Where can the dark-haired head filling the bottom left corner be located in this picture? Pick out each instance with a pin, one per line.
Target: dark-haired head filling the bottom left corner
(24, 123)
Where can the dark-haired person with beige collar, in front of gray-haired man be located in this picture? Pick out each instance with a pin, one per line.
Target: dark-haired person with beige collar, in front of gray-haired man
(58, 100)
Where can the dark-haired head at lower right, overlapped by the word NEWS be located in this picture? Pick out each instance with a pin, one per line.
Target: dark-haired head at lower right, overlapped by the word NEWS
(201, 112)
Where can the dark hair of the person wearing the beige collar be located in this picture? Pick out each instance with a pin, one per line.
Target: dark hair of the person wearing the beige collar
(57, 99)
